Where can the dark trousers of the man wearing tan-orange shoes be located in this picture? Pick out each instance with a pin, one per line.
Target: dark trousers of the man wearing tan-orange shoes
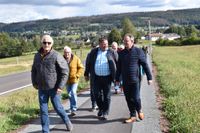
(132, 95)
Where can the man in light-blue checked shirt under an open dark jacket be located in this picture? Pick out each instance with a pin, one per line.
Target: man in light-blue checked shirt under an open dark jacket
(101, 66)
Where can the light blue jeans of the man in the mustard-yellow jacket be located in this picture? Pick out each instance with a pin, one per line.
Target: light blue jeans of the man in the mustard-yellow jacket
(72, 89)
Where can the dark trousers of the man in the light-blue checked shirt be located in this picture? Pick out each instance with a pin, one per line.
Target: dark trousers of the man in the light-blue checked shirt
(102, 91)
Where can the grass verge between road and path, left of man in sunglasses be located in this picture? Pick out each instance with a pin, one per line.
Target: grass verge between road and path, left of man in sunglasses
(18, 108)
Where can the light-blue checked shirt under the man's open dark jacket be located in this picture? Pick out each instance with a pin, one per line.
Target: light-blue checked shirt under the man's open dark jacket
(101, 64)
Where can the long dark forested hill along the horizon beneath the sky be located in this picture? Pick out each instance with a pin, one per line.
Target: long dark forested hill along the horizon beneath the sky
(158, 18)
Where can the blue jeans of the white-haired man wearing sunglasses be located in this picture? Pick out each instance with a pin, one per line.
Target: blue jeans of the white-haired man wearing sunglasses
(44, 96)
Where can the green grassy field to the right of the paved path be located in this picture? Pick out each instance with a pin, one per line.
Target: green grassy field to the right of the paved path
(179, 79)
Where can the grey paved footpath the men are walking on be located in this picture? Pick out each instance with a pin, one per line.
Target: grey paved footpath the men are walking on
(87, 122)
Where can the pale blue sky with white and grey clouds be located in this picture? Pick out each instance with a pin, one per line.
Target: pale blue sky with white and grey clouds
(26, 10)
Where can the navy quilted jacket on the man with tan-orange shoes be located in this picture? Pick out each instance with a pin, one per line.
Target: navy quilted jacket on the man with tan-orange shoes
(129, 65)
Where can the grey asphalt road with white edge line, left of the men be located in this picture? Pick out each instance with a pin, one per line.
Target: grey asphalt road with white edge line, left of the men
(14, 82)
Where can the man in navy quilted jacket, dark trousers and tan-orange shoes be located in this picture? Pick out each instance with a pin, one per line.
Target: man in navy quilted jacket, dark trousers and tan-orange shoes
(128, 65)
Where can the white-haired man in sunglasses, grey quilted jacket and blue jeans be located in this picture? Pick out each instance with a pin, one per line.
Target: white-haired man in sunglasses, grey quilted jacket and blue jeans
(49, 74)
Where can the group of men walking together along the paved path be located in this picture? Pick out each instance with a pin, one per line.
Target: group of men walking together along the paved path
(51, 72)
